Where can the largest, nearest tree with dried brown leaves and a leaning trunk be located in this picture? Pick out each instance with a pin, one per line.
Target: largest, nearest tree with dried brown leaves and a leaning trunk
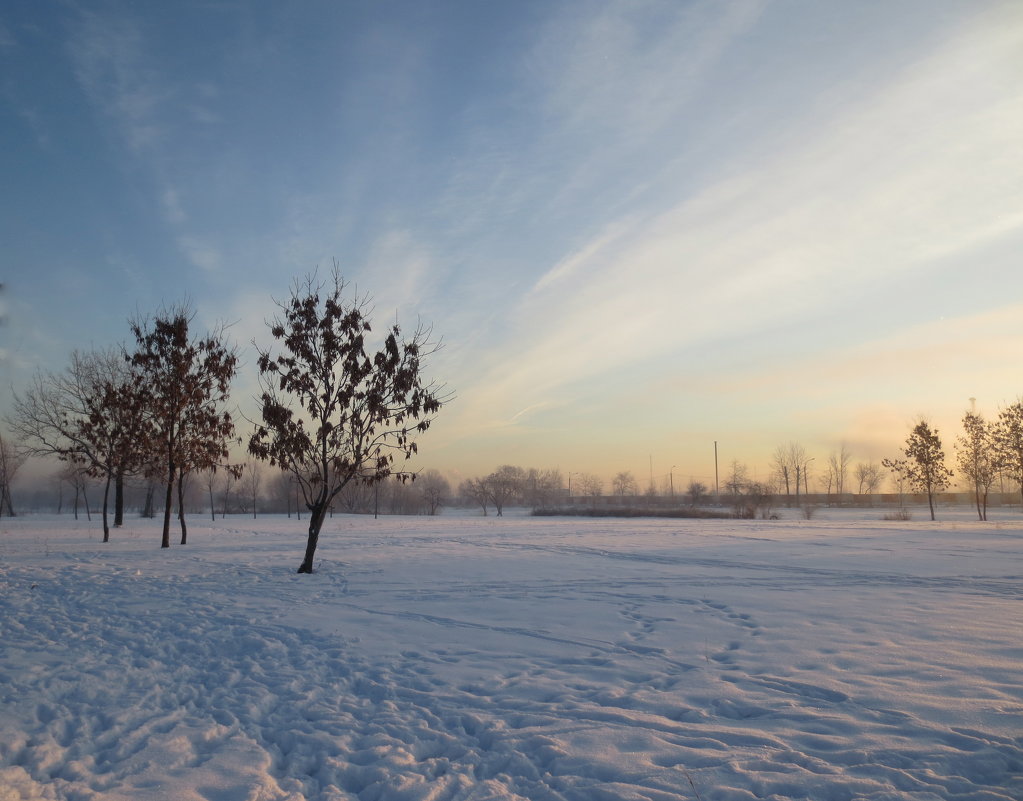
(331, 413)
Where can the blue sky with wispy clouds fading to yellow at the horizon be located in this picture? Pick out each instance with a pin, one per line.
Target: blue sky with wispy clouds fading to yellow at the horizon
(640, 229)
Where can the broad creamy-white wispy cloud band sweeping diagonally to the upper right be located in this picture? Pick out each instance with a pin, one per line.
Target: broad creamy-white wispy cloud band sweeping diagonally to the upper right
(920, 169)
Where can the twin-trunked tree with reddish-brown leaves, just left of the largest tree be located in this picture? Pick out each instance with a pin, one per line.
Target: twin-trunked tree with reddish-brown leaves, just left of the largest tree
(188, 383)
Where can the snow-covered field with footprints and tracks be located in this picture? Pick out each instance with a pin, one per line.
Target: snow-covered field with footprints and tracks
(516, 658)
